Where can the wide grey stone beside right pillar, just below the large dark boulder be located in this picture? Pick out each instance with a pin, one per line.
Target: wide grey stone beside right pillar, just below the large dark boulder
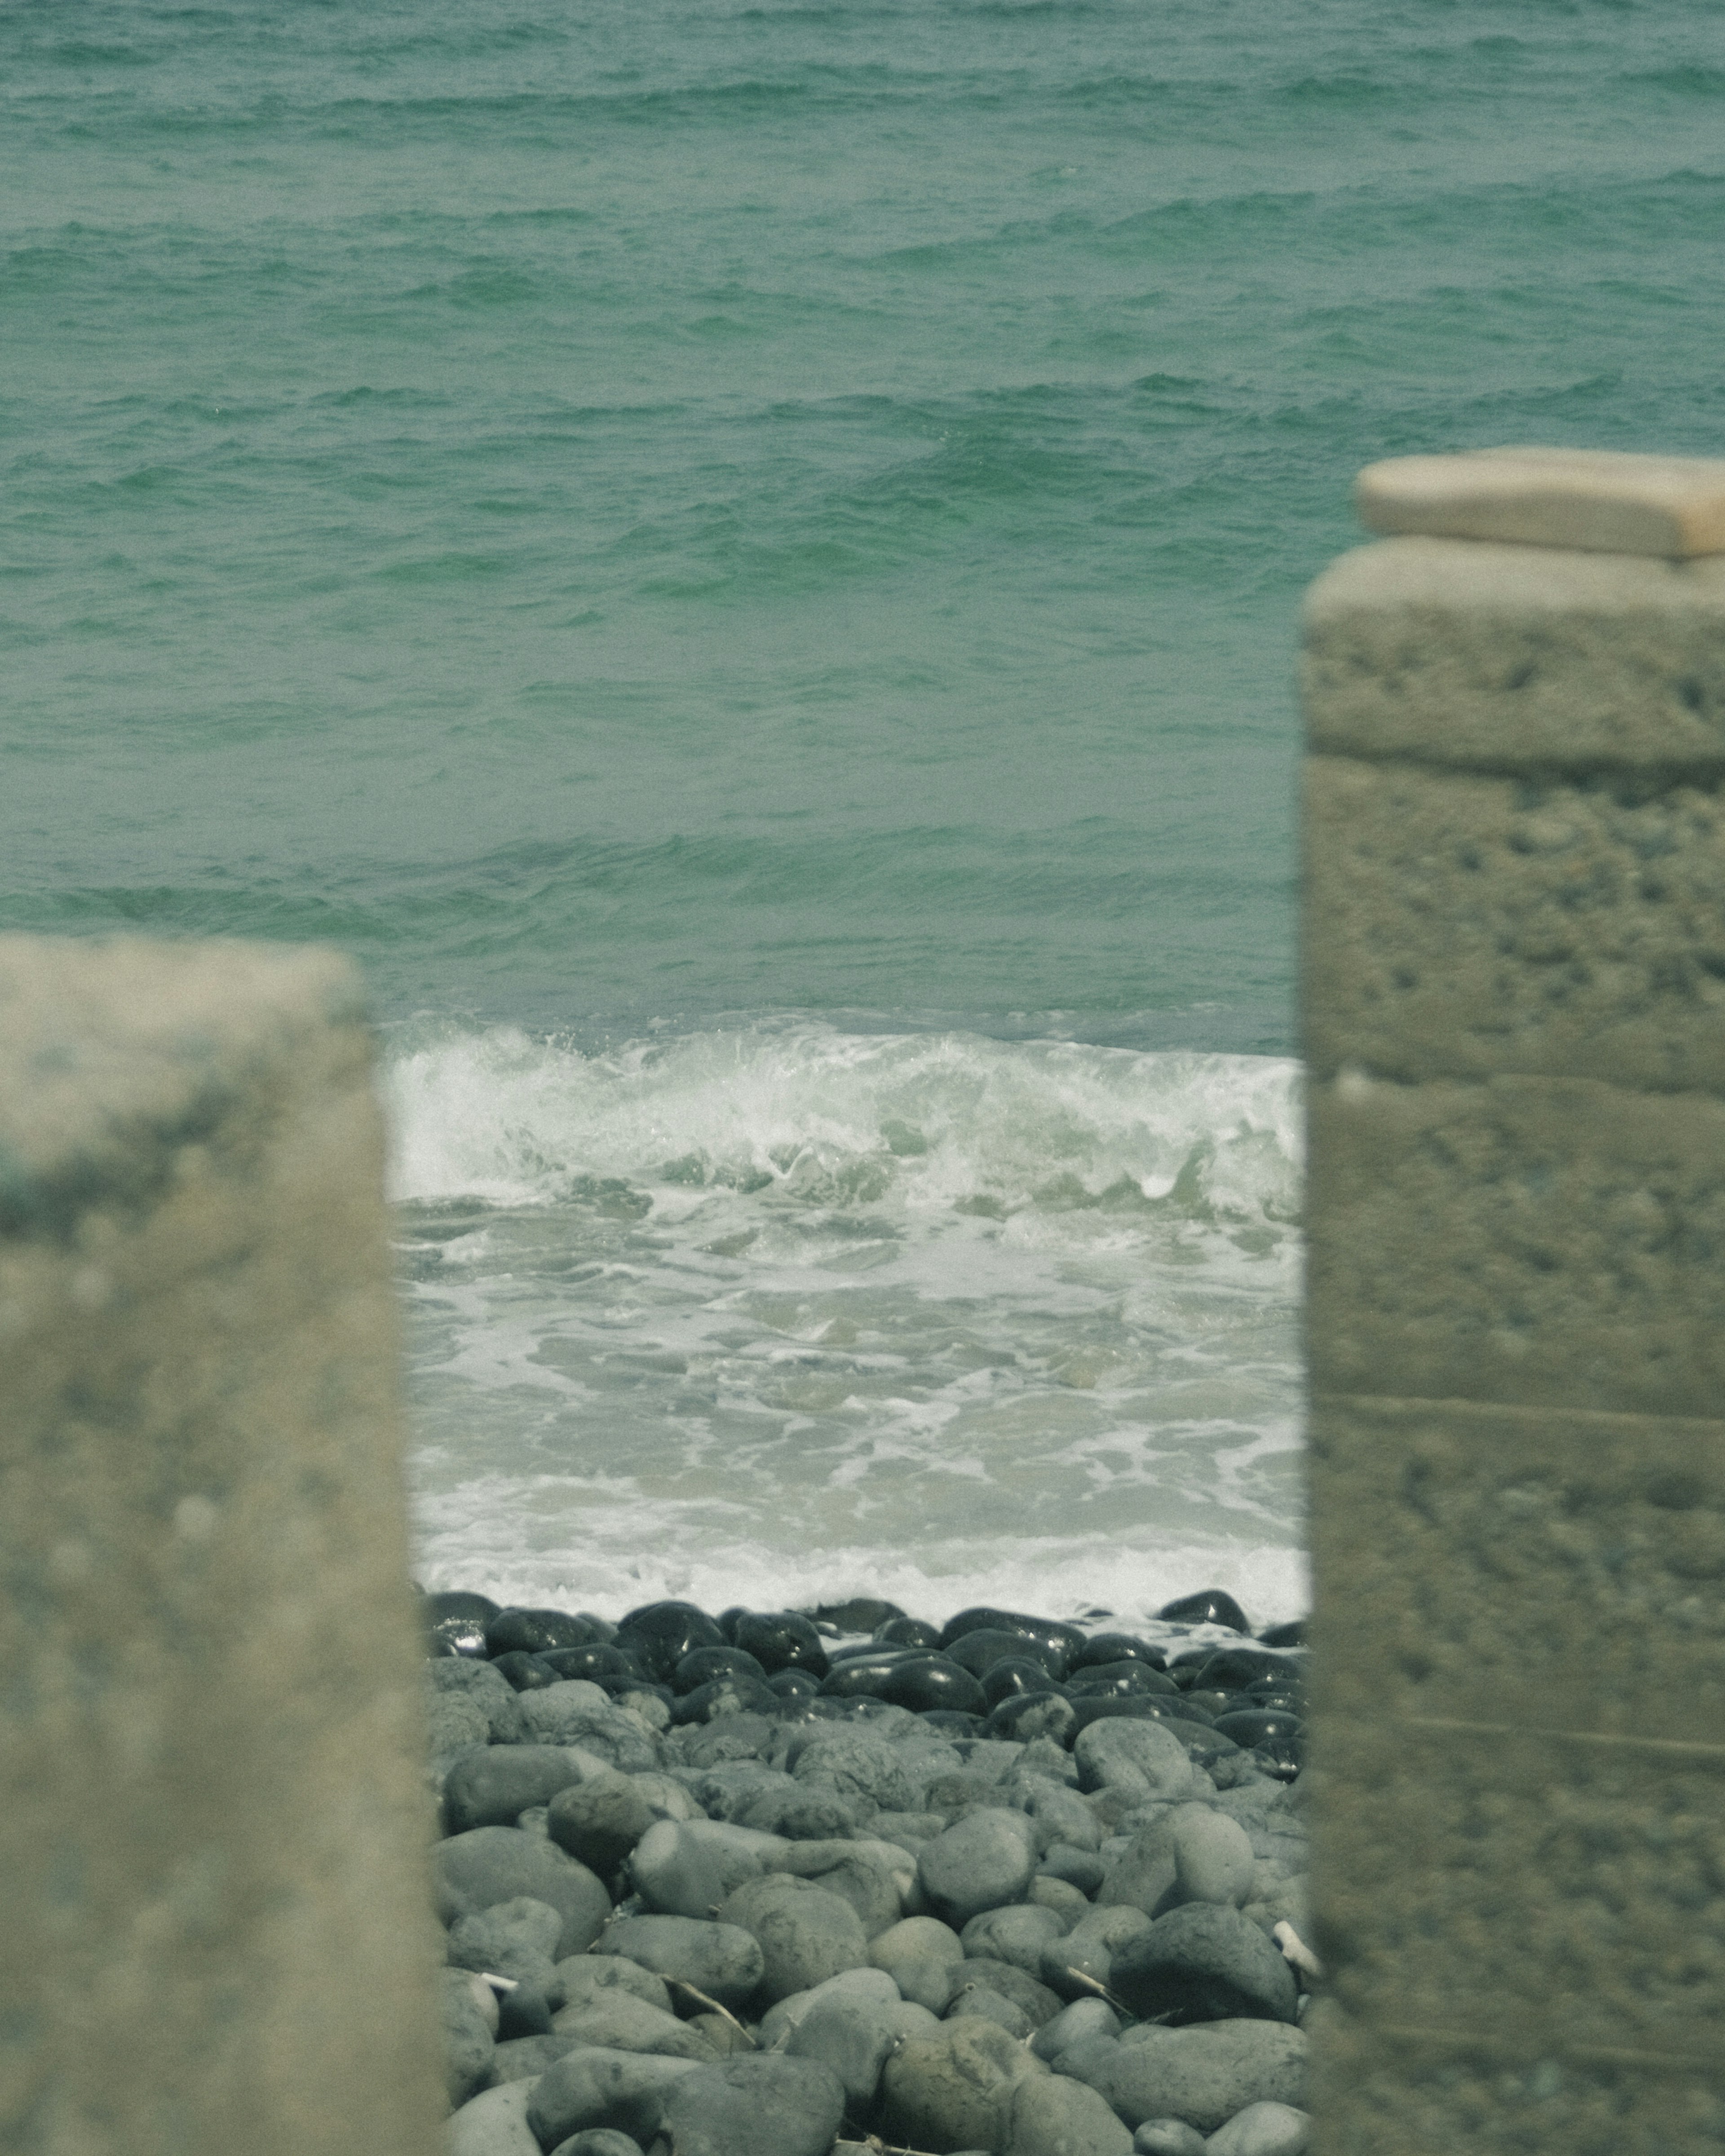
(1198, 2075)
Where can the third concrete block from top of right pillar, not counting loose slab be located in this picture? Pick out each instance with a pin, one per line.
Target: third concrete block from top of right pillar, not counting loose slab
(1528, 1241)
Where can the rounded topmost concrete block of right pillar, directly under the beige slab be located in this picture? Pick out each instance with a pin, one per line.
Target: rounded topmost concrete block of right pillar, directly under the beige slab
(1513, 659)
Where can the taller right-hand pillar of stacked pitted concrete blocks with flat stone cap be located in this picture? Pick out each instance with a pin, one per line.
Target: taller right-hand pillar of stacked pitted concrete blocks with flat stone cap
(1515, 1023)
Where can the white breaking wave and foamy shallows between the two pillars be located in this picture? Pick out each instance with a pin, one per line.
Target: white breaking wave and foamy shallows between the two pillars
(777, 1314)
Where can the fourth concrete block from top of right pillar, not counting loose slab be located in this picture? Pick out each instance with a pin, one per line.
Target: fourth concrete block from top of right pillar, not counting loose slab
(1530, 1566)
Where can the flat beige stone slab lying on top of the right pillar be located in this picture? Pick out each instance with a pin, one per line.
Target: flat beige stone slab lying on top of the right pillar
(1599, 501)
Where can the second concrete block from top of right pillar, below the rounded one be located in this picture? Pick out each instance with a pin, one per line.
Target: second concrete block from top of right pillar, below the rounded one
(1461, 926)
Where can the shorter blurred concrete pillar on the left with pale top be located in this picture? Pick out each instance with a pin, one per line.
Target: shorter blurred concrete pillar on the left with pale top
(212, 1840)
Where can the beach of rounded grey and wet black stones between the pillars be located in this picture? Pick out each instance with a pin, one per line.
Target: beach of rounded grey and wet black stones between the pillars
(801, 1883)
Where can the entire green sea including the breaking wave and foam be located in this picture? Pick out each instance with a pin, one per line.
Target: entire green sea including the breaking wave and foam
(745, 559)
